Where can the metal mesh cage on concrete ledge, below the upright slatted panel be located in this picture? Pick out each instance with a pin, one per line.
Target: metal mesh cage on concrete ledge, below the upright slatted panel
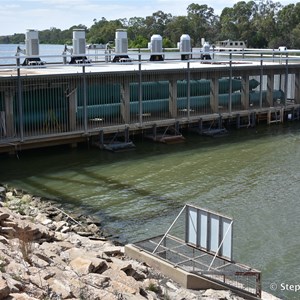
(173, 249)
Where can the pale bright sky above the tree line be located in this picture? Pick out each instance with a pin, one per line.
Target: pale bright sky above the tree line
(16, 16)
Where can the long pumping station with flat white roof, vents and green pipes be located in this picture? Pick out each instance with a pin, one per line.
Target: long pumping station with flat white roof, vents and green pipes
(92, 93)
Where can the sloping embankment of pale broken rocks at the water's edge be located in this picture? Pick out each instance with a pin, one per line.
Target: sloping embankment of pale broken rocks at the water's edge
(46, 253)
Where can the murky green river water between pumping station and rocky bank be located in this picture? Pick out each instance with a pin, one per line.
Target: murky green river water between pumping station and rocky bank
(252, 175)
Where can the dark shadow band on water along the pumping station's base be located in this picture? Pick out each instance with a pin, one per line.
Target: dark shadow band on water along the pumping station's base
(50, 160)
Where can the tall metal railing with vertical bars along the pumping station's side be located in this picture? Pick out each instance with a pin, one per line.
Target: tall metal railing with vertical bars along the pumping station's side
(56, 99)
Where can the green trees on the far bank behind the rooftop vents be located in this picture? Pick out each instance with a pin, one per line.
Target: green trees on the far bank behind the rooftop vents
(262, 23)
